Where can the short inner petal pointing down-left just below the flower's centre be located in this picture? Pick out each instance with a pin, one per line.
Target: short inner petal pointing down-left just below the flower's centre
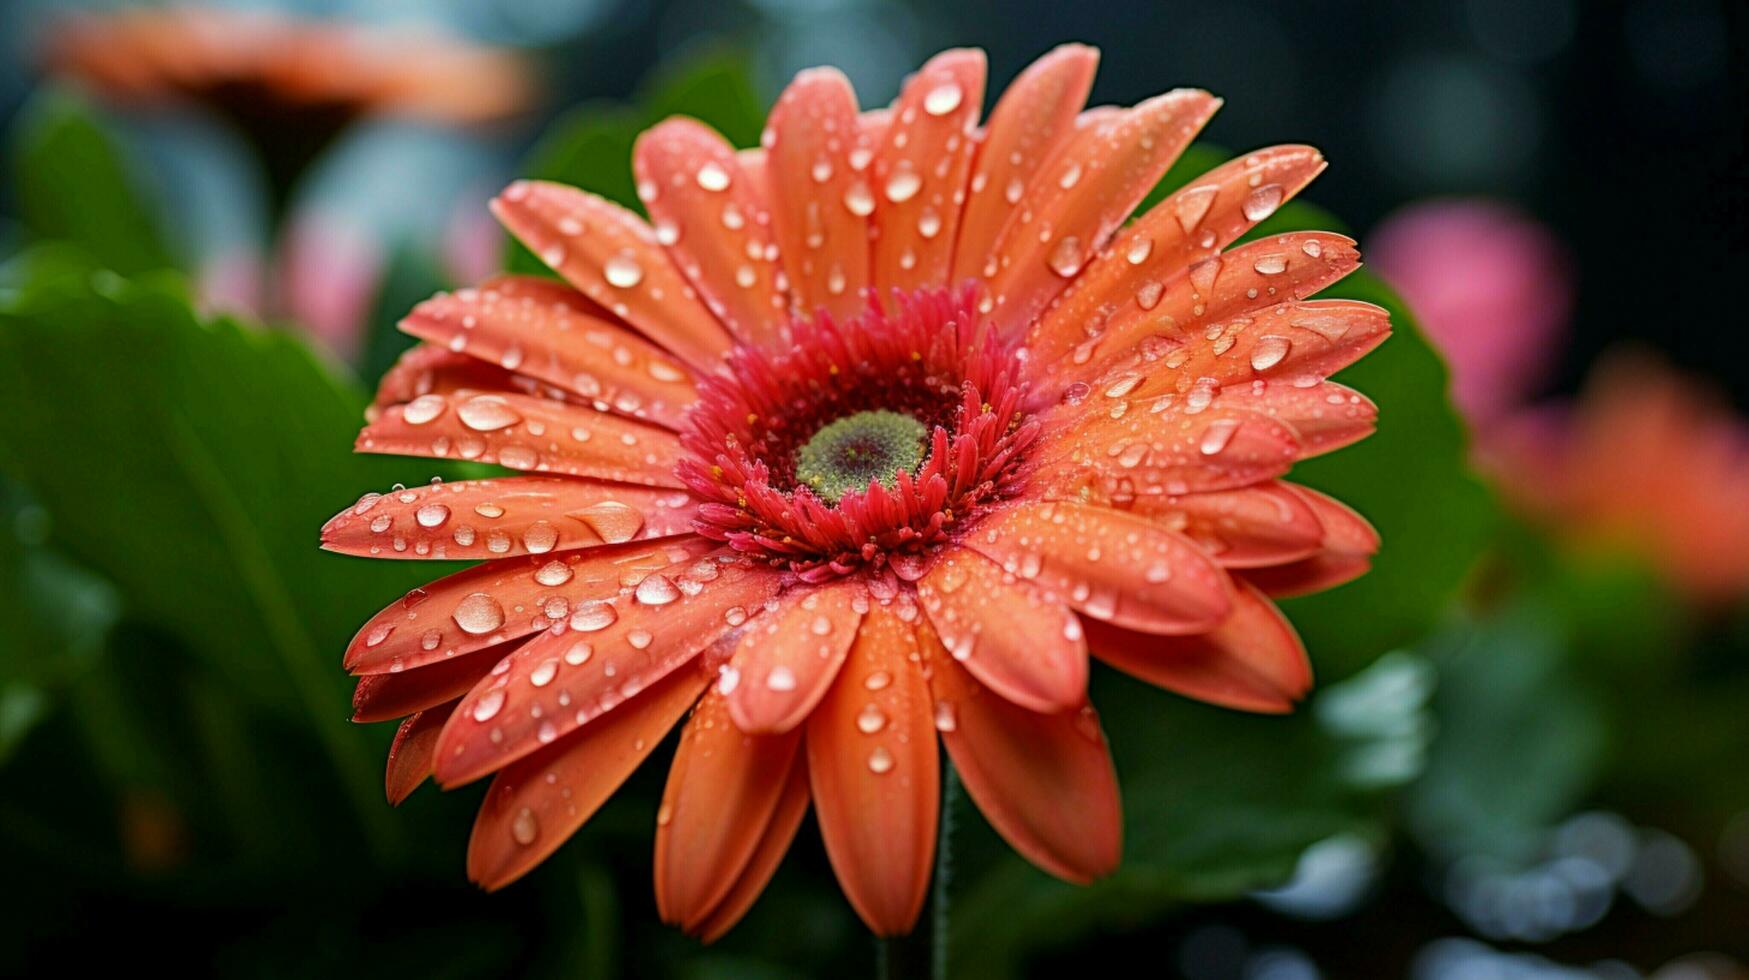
(790, 655)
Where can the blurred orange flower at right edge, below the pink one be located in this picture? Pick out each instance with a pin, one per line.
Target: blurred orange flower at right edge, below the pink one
(1650, 461)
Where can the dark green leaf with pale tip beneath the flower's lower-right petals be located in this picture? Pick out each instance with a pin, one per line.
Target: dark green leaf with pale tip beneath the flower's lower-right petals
(1216, 804)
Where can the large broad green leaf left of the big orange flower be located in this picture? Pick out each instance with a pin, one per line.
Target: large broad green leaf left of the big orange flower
(193, 465)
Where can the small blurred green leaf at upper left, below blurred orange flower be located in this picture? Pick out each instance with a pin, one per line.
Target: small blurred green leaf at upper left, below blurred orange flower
(74, 185)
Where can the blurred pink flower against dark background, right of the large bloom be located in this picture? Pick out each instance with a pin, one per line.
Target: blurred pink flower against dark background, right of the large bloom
(1493, 290)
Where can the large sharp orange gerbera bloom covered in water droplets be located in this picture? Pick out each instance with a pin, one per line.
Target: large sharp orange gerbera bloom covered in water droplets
(861, 445)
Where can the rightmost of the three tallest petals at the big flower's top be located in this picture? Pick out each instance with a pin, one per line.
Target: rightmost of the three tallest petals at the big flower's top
(1031, 122)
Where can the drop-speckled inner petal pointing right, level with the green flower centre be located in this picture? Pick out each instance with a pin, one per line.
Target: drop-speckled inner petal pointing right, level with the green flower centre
(1118, 445)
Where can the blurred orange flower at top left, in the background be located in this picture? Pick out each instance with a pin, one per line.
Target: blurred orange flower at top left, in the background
(263, 64)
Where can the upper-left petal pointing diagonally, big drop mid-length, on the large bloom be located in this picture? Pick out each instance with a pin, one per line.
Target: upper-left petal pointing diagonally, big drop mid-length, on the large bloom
(617, 262)
